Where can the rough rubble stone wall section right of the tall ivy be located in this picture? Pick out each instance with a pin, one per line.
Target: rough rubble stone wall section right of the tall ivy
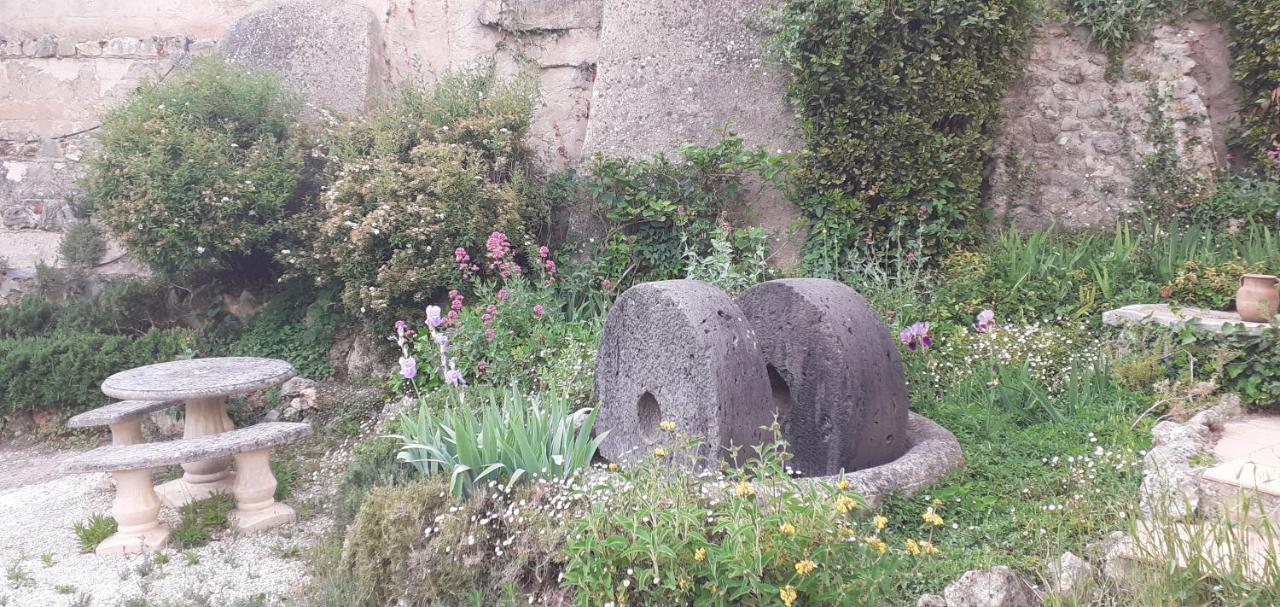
(1073, 140)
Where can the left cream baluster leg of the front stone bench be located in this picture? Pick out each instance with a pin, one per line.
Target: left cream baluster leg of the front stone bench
(136, 512)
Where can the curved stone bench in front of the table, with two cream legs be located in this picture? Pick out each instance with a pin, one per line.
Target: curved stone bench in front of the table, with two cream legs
(138, 506)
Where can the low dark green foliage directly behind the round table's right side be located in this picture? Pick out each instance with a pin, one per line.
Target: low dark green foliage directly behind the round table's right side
(298, 326)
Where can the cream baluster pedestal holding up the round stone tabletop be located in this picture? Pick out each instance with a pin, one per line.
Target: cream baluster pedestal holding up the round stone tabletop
(202, 480)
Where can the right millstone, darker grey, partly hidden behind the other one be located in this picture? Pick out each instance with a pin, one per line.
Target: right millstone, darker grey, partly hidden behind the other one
(835, 373)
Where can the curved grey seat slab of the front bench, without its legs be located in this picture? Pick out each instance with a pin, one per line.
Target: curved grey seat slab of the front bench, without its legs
(167, 454)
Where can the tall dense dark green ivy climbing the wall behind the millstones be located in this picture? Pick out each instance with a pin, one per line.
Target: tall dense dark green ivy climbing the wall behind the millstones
(899, 103)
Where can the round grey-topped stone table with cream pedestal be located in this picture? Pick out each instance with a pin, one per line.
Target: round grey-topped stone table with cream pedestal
(204, 385)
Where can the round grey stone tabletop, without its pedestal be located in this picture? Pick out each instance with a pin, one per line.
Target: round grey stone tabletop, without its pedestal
(198, 378)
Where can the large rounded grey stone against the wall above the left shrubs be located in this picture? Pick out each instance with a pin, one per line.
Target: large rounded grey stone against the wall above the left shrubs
(330, 53)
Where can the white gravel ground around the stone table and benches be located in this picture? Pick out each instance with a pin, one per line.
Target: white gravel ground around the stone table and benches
(45, 568)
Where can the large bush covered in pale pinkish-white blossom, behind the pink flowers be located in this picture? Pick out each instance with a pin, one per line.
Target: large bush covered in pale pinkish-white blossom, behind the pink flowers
(436, 171)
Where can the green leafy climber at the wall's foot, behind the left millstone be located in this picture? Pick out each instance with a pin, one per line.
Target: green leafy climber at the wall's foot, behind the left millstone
(662, 212)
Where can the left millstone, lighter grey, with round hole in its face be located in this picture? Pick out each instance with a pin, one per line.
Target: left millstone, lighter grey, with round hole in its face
(680, 352)
